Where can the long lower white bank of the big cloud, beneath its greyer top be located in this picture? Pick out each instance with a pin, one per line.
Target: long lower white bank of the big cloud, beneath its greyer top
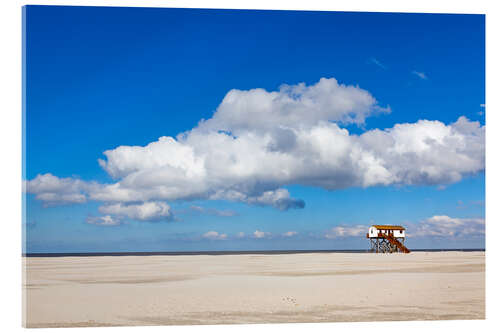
(249, 168)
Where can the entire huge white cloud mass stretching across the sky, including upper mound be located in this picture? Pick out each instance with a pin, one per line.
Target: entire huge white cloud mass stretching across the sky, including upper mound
(258, 142)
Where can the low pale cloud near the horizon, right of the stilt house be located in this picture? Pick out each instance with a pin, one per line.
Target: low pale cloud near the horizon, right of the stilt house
(445, 226)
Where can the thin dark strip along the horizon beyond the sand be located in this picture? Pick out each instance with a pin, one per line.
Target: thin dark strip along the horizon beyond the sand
(216, 253)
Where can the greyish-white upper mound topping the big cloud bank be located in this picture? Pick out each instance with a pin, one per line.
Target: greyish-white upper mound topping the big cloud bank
(292, 106)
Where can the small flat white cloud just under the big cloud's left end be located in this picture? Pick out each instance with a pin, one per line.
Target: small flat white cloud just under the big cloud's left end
(147, 211)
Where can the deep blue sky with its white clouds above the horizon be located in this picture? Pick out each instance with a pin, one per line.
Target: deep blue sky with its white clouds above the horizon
(100, 78)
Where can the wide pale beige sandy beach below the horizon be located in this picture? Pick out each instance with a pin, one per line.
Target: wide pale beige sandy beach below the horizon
(230, 289)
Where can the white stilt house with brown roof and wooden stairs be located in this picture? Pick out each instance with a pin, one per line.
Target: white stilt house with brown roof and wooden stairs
(387, 239)
